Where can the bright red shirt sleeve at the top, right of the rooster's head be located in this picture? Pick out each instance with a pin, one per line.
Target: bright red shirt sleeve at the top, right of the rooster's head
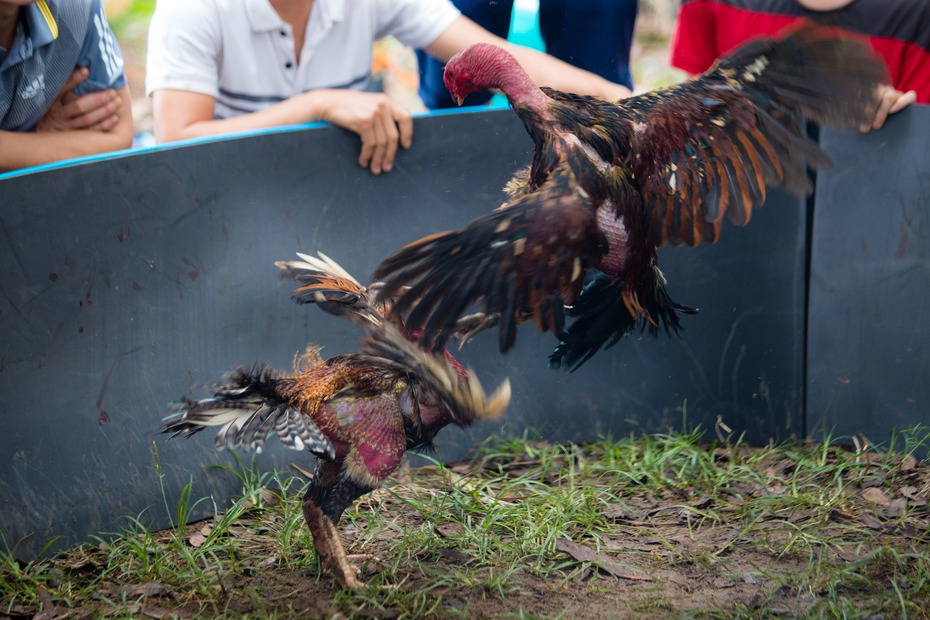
(693, 47)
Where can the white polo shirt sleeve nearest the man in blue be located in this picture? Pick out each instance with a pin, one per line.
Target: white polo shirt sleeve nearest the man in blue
(185, 47)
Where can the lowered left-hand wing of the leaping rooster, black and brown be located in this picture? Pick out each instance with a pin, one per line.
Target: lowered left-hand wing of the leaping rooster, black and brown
(522, 261)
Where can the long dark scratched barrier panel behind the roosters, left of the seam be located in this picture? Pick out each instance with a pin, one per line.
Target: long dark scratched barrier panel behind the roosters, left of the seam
(129, 282)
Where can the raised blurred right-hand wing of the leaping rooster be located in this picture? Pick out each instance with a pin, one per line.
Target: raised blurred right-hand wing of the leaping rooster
(710, 146)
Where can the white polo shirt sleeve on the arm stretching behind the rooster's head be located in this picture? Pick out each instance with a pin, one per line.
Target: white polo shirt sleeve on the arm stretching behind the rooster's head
(416, 23)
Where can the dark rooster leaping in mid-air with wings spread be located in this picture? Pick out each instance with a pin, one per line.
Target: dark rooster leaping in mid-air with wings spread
(609, 182)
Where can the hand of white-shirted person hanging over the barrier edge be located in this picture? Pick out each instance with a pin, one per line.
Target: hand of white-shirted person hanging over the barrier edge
(380, 123)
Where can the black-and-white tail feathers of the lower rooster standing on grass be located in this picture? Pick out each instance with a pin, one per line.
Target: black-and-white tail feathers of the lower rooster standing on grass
(247, 407)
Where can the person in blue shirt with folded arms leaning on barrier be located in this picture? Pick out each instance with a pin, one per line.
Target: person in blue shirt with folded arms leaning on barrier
(63, 92)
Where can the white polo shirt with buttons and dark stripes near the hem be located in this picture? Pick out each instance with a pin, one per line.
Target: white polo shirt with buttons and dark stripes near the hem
(242, 53)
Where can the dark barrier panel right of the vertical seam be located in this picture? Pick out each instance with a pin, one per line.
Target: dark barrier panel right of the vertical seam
(868, 361)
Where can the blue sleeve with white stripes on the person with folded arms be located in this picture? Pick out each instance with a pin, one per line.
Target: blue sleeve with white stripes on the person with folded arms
(101, 54)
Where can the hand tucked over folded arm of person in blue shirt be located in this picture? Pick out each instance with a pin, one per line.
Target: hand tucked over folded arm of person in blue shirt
(69, 112)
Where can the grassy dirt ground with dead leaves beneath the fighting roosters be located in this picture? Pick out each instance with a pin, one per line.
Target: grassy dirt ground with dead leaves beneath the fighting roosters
(665, 552)
